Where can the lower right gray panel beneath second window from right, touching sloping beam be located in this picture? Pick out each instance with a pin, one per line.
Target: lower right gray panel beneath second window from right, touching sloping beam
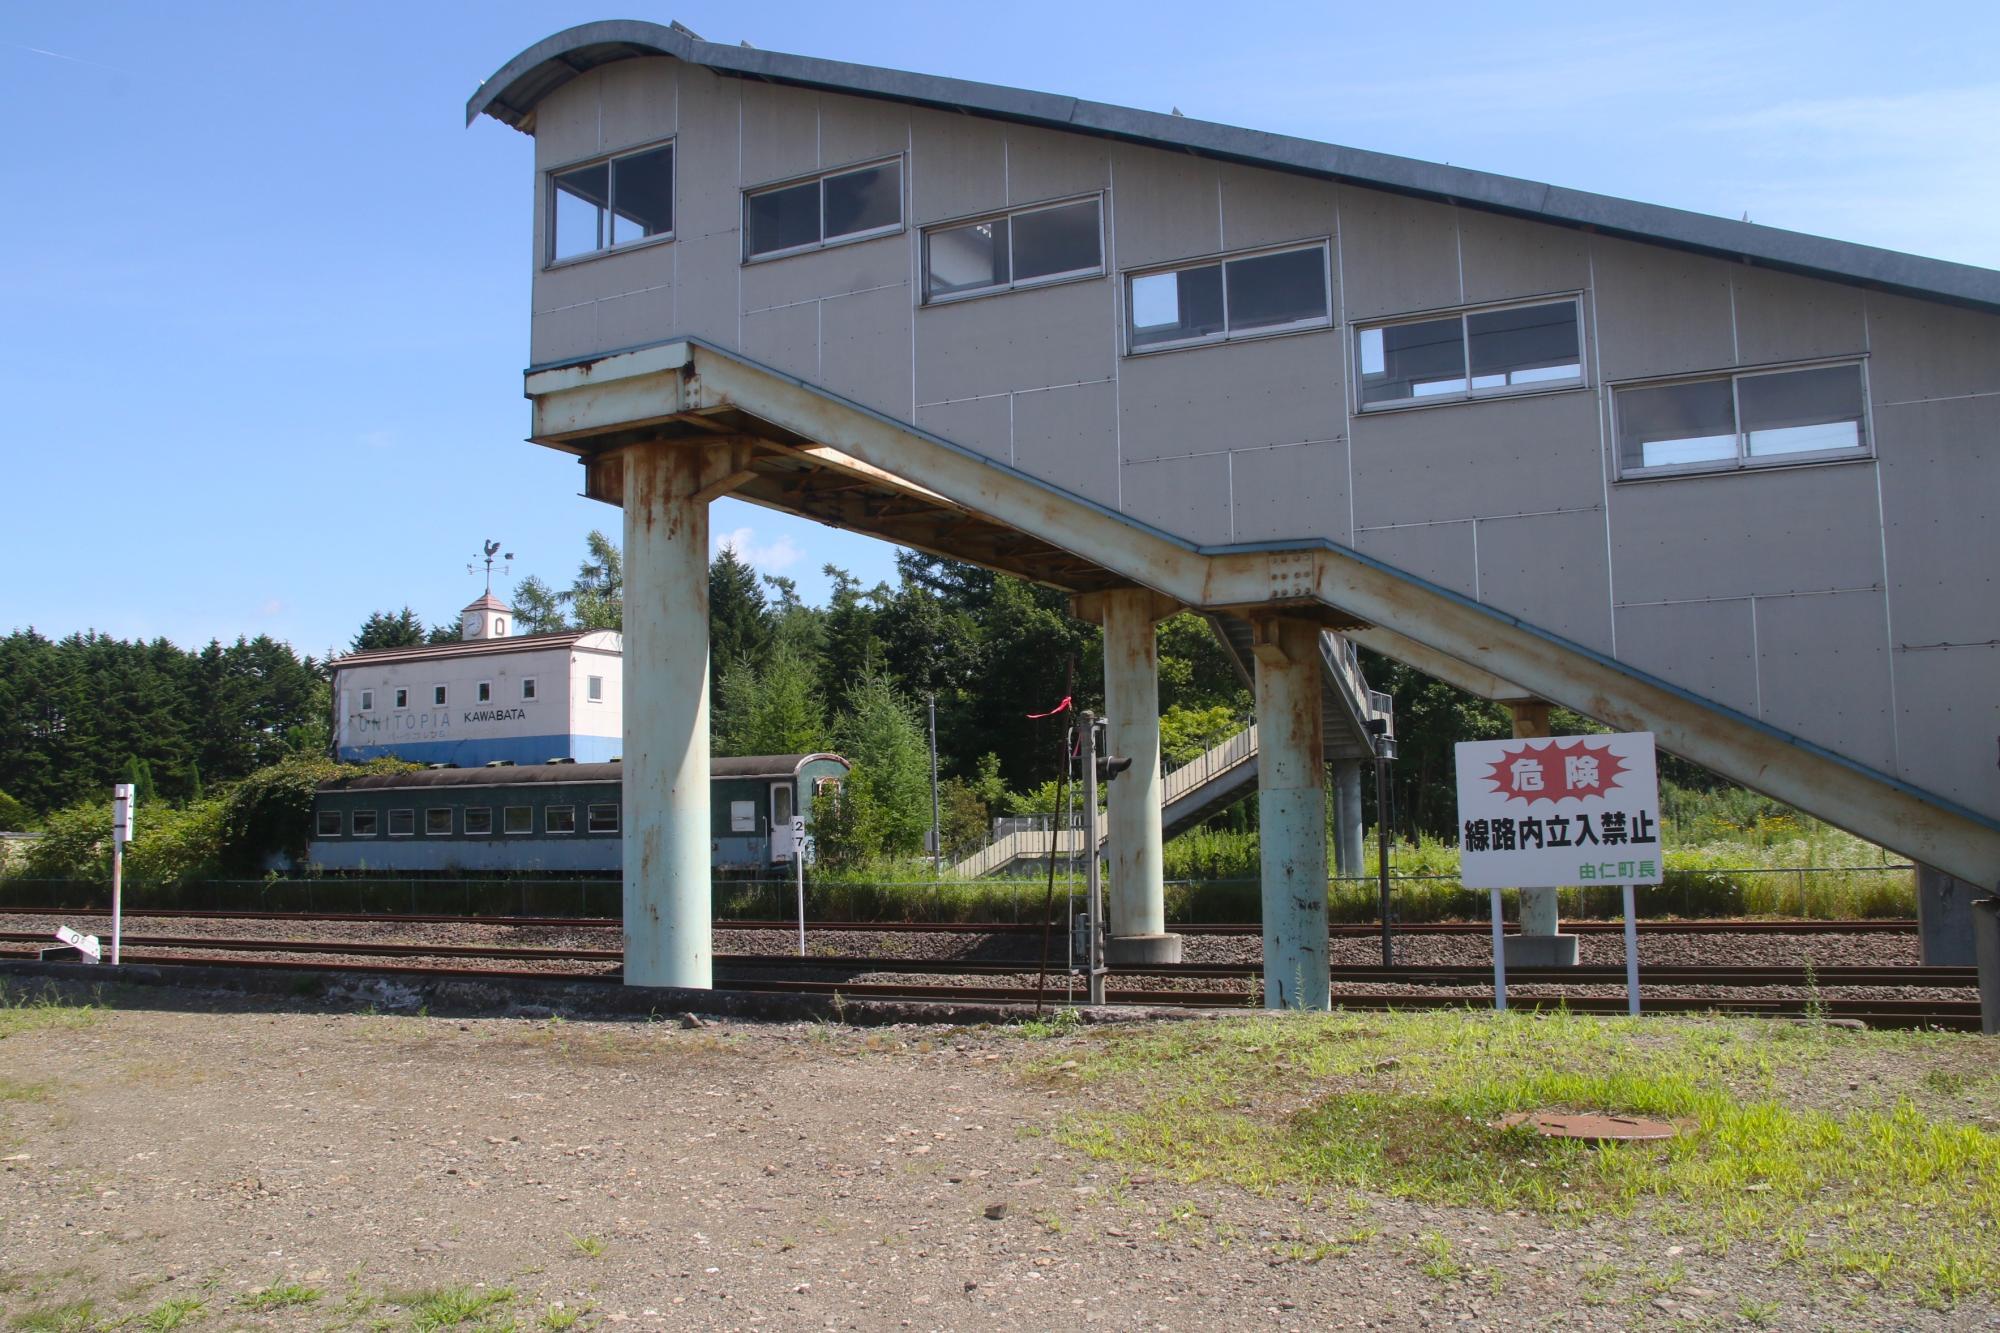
(1551, 571)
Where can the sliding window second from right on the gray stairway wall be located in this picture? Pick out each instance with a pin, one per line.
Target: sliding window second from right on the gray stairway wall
(1471, 355)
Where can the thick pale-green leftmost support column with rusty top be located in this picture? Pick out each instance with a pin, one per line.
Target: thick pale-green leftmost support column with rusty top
(667, 858)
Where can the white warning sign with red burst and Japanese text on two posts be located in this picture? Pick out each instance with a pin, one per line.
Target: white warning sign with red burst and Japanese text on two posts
(1541, 814)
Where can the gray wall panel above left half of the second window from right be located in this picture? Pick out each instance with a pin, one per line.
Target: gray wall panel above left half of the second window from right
(1399, 255)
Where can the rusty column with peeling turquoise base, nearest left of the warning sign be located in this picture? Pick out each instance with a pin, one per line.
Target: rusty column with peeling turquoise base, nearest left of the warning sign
(1291, 780)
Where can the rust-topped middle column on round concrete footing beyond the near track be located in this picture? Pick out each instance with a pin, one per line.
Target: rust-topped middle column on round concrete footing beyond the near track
(1133, 706)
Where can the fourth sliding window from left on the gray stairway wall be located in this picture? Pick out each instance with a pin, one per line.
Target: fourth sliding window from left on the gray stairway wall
(1277, 291)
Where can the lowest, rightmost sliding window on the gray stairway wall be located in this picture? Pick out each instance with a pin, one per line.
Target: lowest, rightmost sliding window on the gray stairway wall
(1743, 421)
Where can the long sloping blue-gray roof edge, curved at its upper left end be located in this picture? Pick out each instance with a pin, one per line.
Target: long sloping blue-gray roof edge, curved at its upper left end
(1819, 257)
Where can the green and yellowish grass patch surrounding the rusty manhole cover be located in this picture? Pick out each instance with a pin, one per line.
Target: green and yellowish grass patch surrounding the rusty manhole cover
(1867, 1160)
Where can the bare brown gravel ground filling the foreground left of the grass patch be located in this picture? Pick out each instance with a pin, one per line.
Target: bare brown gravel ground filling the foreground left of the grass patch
(729, 1178)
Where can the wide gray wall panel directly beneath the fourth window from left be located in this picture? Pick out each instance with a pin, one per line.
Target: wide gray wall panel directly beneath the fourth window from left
(1231, 395)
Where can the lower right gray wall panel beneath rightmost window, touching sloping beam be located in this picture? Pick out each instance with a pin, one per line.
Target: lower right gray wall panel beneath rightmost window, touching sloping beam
(1823, 663)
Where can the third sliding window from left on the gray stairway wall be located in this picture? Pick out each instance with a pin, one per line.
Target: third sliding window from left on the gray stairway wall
(1021, 249)
